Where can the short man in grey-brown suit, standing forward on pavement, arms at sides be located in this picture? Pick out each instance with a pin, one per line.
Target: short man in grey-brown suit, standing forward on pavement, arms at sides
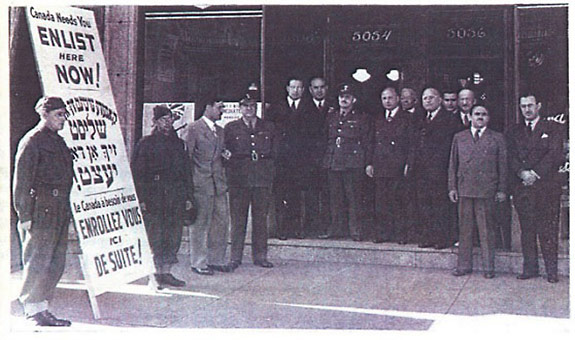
(477, 179)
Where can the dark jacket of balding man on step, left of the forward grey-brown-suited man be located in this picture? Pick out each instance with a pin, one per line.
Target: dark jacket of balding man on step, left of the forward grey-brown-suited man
(429, 156)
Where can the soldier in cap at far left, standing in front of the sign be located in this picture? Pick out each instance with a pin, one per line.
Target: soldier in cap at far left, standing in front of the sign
(42, 183)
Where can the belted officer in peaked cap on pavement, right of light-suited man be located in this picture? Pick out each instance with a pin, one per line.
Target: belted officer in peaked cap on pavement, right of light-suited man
(251, 146)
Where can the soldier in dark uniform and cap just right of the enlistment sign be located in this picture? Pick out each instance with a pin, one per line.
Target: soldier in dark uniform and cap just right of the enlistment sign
(161, 171)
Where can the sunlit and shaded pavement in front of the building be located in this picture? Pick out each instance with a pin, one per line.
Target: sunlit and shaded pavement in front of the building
(311, 298)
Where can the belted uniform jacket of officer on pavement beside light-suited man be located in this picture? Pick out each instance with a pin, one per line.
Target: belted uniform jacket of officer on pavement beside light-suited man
(252, 163)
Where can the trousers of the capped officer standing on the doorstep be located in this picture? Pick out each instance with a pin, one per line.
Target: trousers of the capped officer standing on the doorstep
(345, 187)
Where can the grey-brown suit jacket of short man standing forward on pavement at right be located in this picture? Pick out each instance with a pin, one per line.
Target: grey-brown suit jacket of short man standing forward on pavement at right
(478, 169)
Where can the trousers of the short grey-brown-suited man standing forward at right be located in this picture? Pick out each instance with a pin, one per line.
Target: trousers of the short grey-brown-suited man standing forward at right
(476, 211)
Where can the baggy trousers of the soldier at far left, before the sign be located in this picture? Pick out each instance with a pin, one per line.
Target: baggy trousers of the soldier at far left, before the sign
(44, 247)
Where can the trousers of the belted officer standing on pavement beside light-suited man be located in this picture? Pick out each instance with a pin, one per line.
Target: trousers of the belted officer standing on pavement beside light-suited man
(240, 200)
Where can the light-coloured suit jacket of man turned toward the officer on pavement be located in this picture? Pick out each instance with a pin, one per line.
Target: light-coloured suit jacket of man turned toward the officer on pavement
(205, 149)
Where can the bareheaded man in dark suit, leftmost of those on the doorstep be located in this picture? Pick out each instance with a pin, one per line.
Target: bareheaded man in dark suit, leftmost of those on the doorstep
(291, 162)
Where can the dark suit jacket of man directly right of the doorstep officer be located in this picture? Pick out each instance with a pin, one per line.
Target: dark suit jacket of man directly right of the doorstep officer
(389, 147)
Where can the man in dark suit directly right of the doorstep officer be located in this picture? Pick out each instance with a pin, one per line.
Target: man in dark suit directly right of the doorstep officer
(387, 159)
